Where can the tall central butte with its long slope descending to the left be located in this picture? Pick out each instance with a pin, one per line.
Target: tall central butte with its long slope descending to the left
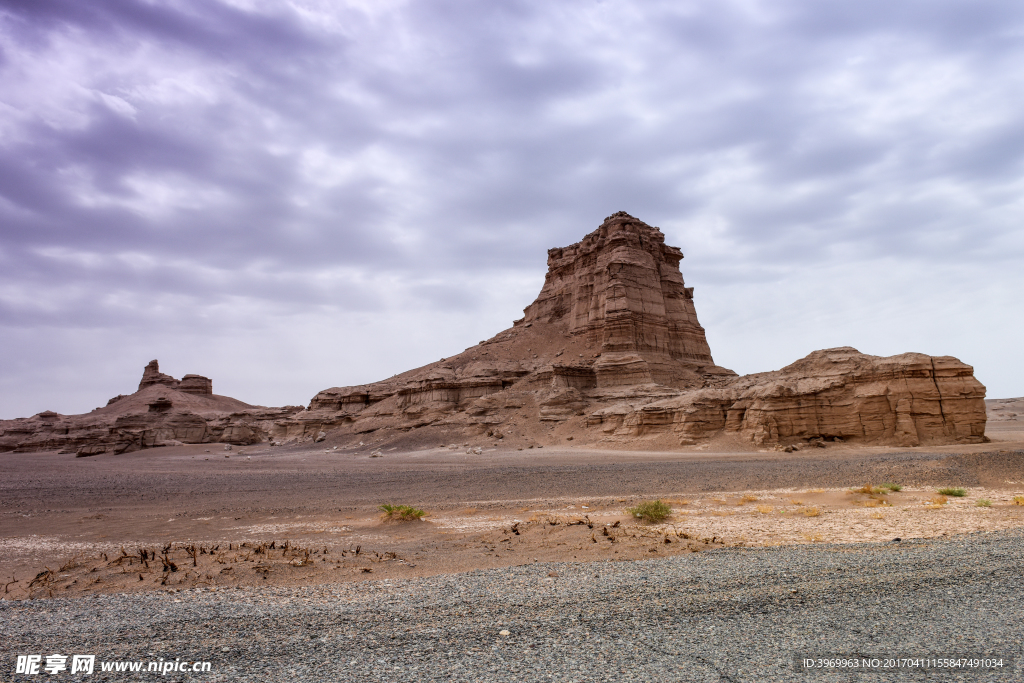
(614, 318)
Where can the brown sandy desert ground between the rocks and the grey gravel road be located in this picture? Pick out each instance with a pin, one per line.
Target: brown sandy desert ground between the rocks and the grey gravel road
(176, 518)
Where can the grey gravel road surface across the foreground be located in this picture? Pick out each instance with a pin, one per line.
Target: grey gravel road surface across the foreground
(734, 615)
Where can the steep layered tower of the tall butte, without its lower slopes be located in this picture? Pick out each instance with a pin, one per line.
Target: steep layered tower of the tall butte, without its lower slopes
(622, 287)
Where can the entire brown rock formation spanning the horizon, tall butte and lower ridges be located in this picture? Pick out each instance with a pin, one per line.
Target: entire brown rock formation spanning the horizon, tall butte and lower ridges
(610, 353)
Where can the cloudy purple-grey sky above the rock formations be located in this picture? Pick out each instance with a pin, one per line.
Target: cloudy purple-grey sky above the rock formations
(287, 197)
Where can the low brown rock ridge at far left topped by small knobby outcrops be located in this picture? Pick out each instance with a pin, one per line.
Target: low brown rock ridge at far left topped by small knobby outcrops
(163, 412)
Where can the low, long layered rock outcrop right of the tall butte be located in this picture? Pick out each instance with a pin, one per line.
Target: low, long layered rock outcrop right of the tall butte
(834, 395)
